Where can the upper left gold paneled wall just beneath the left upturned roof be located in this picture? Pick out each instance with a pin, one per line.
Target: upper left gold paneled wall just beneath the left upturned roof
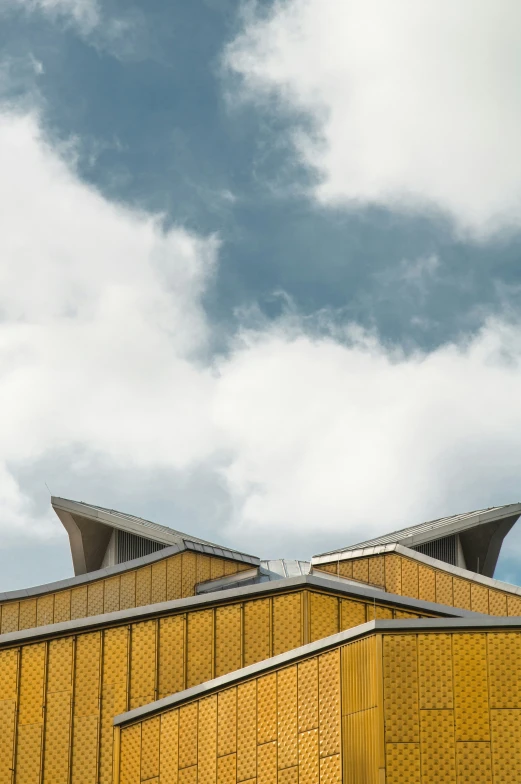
(174, 577)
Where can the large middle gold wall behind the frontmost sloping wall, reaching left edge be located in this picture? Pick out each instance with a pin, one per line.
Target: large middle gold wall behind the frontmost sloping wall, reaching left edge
(62, 693)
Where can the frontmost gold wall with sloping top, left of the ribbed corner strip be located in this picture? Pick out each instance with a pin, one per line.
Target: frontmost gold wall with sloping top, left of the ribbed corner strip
(284, 727)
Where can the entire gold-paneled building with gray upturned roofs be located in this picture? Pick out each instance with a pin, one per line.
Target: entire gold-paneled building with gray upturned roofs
(168, 659)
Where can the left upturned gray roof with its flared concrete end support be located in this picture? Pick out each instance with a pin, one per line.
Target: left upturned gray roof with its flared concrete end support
(90, 528)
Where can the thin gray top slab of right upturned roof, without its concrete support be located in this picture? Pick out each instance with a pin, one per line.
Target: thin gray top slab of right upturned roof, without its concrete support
(434, 529)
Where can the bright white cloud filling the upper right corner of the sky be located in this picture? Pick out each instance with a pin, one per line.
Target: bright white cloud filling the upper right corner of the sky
(414, 105)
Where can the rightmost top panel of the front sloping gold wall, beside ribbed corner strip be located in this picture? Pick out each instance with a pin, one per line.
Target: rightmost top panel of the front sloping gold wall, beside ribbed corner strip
(329, 702)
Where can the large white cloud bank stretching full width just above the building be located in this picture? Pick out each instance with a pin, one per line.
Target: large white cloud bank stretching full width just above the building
(104, 349)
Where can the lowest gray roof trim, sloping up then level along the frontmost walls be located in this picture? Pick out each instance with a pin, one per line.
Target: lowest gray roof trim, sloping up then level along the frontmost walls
(312, 649)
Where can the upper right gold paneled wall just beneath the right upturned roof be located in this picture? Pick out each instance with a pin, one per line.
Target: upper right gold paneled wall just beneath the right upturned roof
(407, 577)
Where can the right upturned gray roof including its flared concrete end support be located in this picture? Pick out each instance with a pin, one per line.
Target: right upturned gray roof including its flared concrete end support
(485, 544)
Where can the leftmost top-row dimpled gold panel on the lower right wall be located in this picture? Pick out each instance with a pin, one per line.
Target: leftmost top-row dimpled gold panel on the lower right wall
(400, 671)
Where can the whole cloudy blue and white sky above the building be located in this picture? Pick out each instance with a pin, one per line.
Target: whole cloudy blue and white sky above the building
(260, 268)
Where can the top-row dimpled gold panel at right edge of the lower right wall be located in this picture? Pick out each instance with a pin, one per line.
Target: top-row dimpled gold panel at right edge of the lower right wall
(504, 655)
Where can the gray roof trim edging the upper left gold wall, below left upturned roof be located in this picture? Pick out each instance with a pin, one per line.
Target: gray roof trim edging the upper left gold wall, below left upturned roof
(128, 566)
